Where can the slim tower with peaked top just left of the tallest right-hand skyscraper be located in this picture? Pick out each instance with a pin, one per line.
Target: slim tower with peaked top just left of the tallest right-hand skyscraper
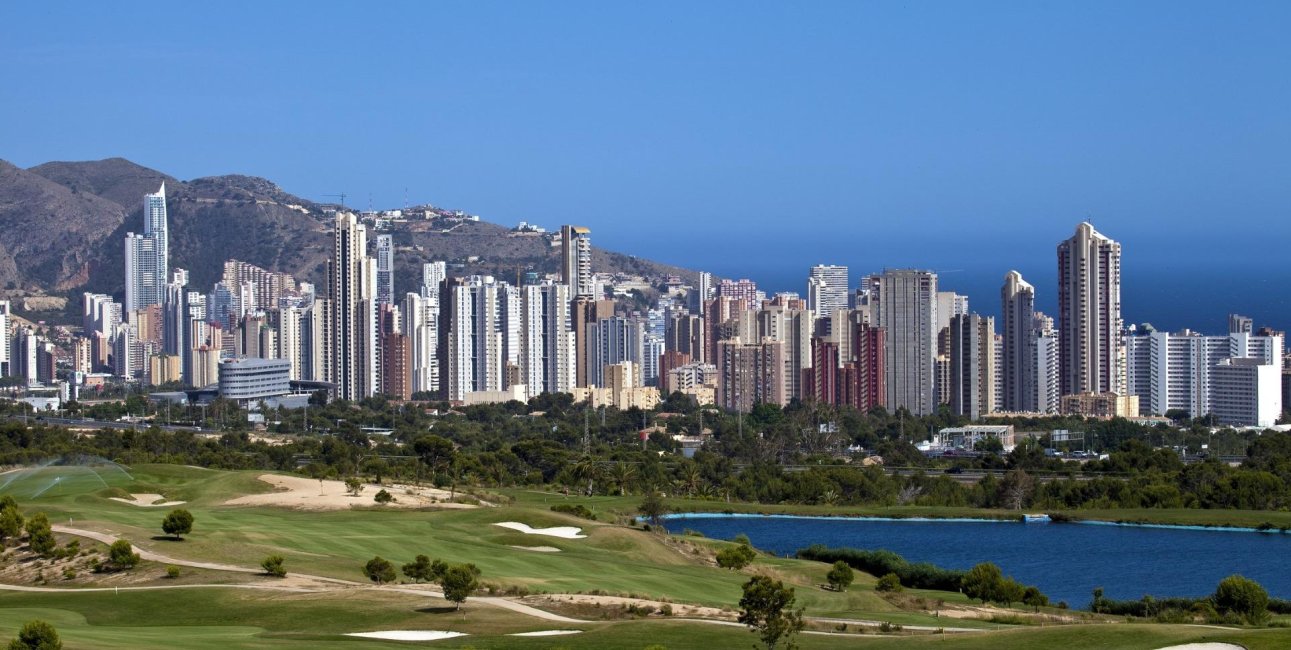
(1018, 309)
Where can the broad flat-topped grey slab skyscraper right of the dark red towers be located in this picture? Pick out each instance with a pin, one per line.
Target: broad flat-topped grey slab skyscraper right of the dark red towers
(906, 307)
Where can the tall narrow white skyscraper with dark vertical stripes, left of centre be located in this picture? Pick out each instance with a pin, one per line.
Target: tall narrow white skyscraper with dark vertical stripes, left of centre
(352, 278)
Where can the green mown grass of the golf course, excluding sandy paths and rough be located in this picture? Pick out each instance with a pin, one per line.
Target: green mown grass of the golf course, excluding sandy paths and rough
(336, 543)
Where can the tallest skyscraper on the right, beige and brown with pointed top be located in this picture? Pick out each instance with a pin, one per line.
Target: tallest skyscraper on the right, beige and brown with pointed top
(1089, 295)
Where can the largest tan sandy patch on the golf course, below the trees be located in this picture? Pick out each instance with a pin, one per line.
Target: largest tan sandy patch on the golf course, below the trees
(310, 494)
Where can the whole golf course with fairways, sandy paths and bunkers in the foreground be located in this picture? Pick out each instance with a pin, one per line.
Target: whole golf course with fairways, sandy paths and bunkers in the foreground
(566, 581)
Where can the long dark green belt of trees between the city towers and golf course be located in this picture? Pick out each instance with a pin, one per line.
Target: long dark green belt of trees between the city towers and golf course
(542, 444)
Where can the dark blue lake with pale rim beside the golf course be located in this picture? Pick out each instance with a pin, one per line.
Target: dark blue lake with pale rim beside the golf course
(1067, 561)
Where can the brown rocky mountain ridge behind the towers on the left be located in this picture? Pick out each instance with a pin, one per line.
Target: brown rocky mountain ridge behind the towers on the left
(63, 227)
